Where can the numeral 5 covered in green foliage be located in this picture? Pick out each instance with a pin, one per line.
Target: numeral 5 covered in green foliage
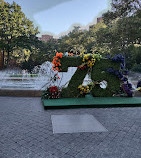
(99, 73)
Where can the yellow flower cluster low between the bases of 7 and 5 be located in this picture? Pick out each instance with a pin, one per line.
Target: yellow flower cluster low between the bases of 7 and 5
(85, 89)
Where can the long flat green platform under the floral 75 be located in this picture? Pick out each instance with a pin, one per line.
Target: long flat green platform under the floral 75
(93, 101)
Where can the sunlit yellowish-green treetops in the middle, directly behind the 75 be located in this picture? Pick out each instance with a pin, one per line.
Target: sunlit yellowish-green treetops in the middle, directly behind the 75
(81, 41)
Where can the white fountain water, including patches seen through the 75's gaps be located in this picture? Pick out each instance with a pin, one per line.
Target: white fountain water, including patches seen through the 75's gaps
(42, 77)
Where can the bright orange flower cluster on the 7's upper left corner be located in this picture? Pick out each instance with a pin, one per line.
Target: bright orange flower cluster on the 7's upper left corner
(56, 61)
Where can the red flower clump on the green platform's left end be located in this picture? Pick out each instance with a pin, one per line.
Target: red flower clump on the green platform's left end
(51, 93)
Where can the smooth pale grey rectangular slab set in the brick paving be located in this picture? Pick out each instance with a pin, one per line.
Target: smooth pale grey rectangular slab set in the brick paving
(76, 123)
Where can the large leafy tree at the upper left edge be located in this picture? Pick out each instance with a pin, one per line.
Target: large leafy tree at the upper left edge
(15, 29)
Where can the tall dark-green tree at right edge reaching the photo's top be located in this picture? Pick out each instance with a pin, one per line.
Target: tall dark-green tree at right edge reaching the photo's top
(123, 29)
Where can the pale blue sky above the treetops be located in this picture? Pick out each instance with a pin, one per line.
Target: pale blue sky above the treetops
(57, 17)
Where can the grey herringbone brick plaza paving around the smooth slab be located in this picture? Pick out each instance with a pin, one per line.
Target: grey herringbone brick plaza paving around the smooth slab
(26, 132)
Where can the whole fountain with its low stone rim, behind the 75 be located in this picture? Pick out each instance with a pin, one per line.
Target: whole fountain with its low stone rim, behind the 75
(20, 83)
